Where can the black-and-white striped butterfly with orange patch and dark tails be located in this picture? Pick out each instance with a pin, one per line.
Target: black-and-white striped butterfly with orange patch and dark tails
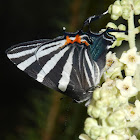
(71, 64)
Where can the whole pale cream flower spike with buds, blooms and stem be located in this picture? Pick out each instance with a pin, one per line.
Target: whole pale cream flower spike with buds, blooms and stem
(114, 111)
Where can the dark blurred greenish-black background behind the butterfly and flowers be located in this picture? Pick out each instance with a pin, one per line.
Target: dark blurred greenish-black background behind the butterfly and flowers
(29, 110)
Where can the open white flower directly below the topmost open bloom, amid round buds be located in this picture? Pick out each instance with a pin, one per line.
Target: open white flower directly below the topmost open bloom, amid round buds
(126, 88)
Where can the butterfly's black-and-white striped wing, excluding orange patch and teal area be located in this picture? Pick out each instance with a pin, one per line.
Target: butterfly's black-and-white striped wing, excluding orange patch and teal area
(68, 69)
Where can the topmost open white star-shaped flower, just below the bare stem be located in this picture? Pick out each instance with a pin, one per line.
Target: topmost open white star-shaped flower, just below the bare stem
(131, 58)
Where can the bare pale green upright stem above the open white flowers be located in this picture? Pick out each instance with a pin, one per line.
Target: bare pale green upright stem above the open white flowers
(131, 27)
